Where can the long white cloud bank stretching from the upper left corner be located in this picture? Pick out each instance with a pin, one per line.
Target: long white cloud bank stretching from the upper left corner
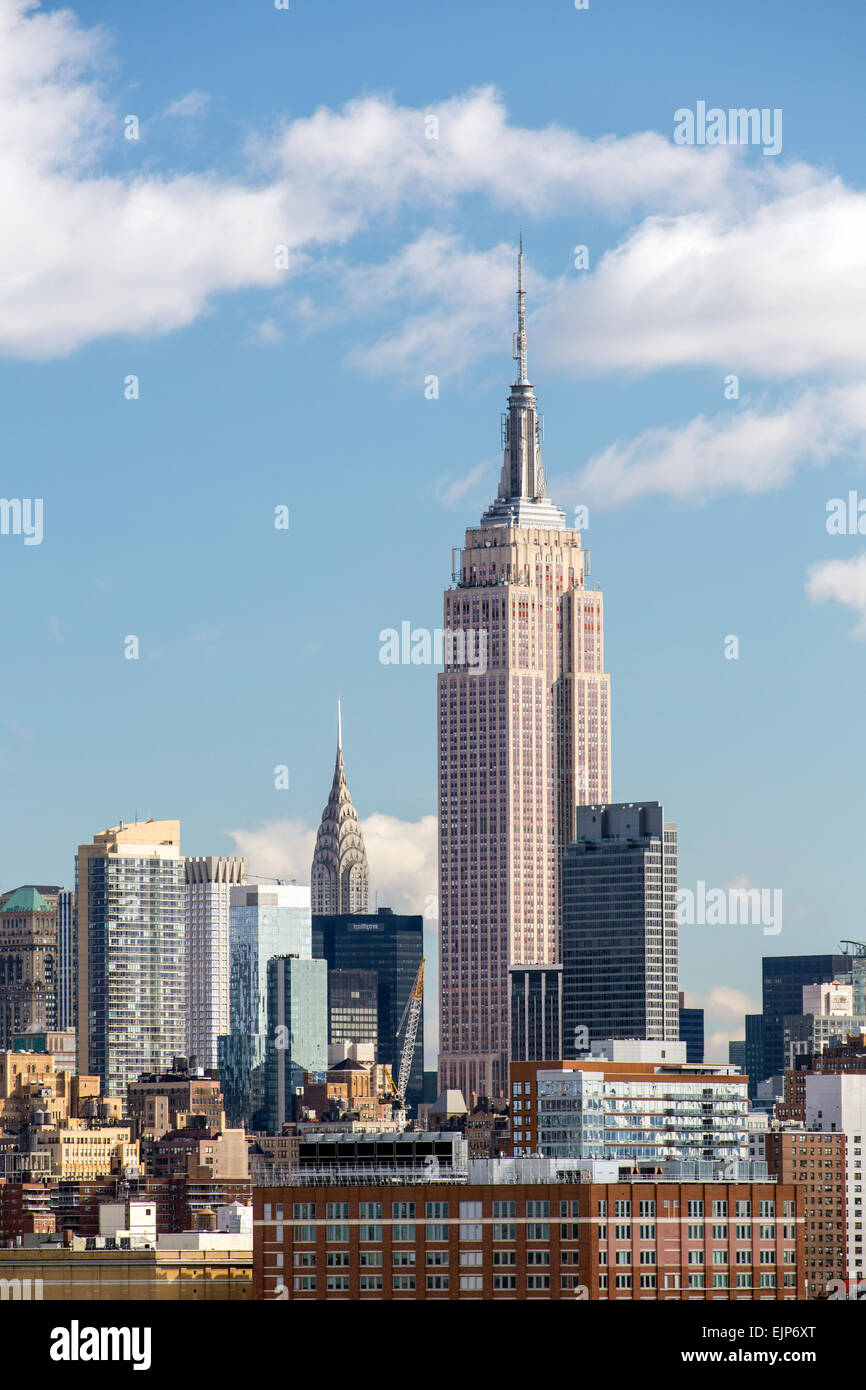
(85, 254)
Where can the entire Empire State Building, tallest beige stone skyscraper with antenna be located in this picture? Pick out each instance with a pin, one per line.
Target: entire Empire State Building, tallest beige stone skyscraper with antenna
(525, 739)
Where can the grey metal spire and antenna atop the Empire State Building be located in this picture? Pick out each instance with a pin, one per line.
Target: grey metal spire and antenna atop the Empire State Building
(523, 491)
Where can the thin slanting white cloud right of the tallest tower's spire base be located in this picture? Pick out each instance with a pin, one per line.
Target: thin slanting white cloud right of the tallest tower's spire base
(742, 450)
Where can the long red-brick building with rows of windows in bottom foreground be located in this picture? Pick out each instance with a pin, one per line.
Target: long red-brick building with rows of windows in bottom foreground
(640, 1241)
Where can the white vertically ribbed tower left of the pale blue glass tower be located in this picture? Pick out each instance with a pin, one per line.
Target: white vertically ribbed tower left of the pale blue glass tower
(209, 882)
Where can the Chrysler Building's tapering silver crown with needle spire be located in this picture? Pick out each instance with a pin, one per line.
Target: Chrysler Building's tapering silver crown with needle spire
(340, 875)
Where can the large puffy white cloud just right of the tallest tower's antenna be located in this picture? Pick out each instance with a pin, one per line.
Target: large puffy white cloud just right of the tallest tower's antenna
(776, 290)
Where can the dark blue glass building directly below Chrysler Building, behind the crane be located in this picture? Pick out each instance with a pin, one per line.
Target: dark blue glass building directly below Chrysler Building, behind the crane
(391, 946)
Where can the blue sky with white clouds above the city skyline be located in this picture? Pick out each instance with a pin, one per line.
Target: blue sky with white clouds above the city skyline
(305, 389)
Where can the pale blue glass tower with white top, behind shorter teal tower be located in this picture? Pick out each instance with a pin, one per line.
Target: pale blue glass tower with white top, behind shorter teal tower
(265, 921)
